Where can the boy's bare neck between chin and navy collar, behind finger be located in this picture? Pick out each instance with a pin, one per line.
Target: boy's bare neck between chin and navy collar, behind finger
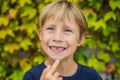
(64, 68)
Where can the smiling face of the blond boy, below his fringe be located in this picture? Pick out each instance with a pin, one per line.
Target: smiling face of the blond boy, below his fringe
(59, 38)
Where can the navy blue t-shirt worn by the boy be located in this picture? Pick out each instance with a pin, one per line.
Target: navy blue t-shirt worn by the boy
(82, 73)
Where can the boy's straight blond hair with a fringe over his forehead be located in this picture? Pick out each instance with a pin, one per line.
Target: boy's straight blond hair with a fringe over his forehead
(63, 9)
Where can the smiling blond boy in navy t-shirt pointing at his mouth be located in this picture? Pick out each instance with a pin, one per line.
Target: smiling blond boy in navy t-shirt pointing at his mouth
(62, 30)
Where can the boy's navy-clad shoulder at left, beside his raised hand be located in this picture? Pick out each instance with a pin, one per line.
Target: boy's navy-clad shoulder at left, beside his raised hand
(34, 73)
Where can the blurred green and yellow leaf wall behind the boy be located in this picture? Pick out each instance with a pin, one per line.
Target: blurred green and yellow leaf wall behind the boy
(20, 46)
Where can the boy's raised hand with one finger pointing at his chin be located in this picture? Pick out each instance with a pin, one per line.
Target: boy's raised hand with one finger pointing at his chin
(50, 73)
